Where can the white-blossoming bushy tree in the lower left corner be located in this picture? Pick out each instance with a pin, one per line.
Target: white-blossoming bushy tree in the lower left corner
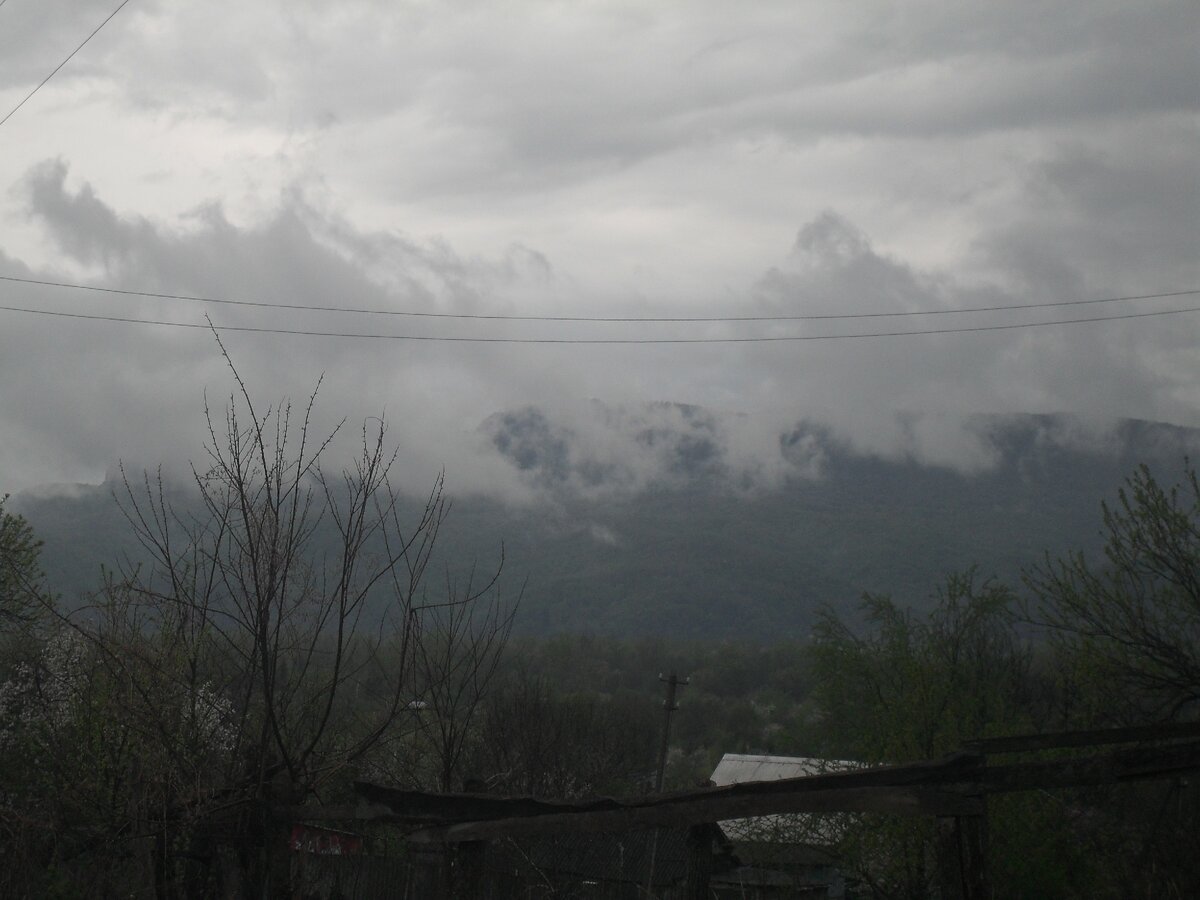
(70, 746)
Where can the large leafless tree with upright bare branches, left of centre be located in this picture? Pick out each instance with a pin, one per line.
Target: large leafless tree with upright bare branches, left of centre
(243, 650)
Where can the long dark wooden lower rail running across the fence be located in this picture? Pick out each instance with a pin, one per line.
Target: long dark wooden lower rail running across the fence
(953, 787)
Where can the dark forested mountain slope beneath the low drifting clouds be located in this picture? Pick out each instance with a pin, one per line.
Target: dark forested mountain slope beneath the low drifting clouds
(699, 559)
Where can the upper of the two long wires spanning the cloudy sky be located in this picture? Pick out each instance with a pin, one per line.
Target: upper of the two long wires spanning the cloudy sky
(631, 320)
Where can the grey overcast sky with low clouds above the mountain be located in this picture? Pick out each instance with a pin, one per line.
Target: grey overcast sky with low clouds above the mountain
(593, 160)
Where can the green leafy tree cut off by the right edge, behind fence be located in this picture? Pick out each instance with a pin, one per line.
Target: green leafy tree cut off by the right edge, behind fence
(1125, 634)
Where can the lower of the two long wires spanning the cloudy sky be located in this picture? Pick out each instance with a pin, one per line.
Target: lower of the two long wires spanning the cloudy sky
(443, 339)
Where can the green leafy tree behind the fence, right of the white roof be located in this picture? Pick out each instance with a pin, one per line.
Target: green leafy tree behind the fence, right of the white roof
(909, 687)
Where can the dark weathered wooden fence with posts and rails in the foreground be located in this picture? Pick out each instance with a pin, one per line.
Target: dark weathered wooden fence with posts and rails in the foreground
(953, 790)
